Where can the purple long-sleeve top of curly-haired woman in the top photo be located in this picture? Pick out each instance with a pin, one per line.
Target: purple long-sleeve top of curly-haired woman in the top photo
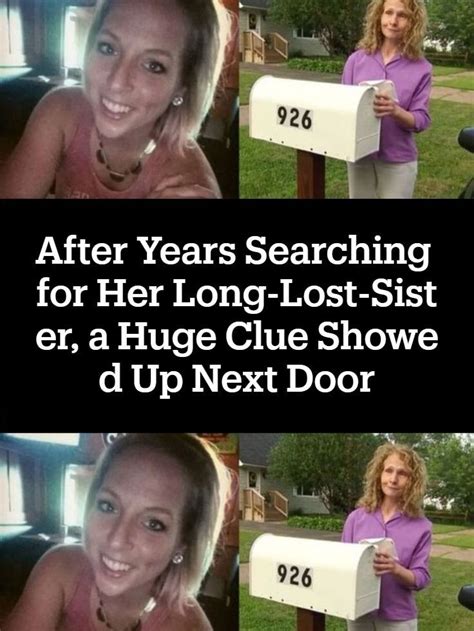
(412, 80)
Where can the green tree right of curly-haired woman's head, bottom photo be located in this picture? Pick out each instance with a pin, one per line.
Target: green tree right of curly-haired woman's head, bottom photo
(451, 471)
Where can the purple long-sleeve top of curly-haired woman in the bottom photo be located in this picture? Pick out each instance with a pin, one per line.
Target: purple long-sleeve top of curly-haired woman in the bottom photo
(412, 538)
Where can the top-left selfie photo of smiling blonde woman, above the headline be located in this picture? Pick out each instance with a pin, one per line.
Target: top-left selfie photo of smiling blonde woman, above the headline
(131, 122)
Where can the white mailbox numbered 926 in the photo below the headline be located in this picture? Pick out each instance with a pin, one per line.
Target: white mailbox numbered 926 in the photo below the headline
(333, 578)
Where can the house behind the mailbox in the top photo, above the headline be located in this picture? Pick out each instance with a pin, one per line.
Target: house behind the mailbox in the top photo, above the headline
(253, 16)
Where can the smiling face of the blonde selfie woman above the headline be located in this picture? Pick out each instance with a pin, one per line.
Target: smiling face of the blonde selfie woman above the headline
(133, 69)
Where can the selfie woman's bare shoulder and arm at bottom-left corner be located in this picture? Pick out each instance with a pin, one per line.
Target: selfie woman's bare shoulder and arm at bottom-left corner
(47, 590)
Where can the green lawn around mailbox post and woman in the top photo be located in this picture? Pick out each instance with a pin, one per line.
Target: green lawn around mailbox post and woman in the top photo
(444, 168)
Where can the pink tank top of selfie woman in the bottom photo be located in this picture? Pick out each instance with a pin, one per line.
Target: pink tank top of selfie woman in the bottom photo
(76, 616)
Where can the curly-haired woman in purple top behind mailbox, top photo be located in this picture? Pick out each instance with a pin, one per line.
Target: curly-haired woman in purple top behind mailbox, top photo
(390, 49)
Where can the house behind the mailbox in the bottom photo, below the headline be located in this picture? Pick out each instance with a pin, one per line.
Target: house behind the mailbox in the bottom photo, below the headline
(254, 452)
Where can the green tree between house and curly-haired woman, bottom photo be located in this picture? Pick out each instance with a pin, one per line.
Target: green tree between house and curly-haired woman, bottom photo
(333, 465)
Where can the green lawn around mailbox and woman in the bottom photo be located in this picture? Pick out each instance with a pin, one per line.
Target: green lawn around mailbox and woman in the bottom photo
(438, 606)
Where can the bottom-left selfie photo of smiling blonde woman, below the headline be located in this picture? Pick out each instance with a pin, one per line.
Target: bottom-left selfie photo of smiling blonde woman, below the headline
(157, 548)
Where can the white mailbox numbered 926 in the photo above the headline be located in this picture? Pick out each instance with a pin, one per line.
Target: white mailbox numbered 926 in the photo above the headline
(326, 118)
